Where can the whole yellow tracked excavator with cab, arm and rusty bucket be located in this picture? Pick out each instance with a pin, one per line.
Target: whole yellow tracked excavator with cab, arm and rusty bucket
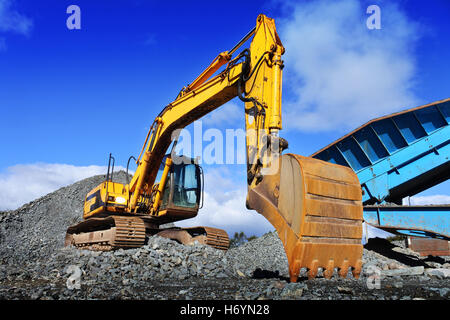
(315, 206)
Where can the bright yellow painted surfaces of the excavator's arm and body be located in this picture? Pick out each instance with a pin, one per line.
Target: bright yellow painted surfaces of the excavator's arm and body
(205, 94)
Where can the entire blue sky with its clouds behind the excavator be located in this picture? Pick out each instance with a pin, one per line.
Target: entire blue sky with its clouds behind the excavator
(72, 96)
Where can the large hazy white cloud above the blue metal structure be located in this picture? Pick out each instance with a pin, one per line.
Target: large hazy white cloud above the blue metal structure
(340, 73)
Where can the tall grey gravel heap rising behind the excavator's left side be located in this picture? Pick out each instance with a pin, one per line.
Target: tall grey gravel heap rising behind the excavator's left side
(37, 229)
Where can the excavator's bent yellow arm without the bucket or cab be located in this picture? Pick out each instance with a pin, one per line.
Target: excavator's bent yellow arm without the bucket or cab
(256, 80)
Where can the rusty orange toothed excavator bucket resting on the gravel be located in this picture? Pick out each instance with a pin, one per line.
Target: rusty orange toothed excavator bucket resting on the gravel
(316, 208)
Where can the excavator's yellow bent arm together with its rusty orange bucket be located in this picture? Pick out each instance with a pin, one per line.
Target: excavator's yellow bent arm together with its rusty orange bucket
(315, 206)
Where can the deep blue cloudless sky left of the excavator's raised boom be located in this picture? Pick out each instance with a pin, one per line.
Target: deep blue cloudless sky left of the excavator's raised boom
(62, 89)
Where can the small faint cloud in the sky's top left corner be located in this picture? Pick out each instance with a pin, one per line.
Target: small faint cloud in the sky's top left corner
(13, 21)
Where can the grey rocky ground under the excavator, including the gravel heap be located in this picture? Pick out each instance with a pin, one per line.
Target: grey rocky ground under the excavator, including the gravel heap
(34, 265)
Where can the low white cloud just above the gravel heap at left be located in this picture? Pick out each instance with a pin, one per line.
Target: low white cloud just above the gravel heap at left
(23, 183)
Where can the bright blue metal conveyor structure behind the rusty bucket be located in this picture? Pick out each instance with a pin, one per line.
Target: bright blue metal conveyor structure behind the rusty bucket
(397, 156)
